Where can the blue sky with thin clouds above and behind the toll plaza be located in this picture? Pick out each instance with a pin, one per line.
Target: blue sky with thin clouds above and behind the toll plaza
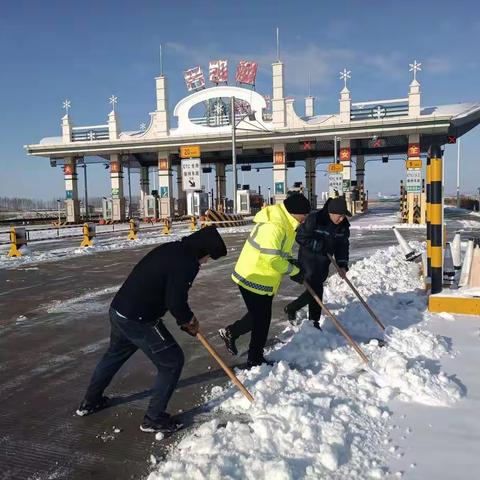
(86, 51)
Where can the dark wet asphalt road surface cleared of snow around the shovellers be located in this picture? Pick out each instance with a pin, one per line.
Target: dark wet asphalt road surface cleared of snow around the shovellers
(53, 330)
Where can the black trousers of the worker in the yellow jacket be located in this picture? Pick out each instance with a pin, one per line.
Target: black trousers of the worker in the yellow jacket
(256, 320)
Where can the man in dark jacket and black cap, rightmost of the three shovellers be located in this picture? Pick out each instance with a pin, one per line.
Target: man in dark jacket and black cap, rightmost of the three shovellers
(324, 231)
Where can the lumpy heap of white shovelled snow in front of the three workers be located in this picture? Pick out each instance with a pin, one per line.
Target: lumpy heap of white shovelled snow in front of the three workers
(318, 412)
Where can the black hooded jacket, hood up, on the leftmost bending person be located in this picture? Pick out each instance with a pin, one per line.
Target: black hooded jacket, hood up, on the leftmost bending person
(161, 280)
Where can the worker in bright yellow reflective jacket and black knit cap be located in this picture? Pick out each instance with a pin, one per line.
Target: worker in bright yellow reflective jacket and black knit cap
(265, 258)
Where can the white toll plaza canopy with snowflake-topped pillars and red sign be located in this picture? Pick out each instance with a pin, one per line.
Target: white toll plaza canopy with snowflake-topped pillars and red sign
(266, 130)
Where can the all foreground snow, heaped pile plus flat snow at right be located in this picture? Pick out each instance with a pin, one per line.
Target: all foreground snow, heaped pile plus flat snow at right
(319, 412)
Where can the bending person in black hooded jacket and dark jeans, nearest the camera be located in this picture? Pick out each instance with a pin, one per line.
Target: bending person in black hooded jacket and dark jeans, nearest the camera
(157, 284)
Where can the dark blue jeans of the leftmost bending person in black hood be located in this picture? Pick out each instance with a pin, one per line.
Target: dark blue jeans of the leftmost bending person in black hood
(157, 343)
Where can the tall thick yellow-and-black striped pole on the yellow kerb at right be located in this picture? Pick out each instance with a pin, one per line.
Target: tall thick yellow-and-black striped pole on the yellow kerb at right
(436, 218)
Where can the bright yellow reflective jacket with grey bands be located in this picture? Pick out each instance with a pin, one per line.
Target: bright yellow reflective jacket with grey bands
(265, 256)
